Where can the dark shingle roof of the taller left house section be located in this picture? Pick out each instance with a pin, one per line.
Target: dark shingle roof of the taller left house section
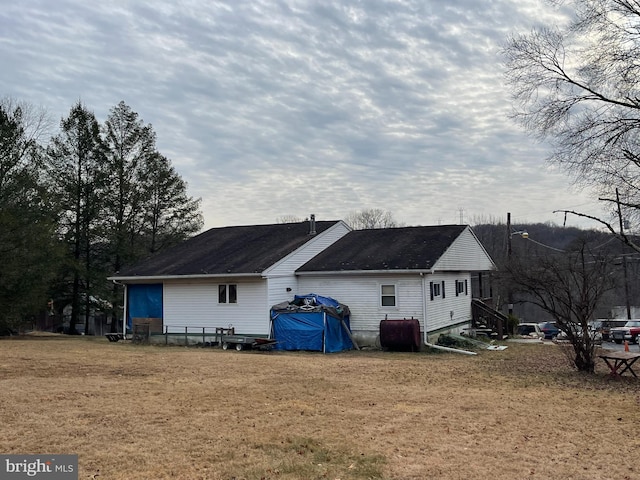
(228, 250)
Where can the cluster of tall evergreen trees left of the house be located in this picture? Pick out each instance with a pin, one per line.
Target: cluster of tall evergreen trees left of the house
(77, 206)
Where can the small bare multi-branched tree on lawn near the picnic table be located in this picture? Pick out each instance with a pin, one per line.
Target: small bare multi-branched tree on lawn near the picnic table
(569, 286)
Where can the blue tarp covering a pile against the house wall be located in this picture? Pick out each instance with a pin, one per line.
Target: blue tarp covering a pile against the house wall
(311, 322)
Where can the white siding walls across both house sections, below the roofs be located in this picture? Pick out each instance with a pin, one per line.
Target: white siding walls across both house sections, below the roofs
(195, 304)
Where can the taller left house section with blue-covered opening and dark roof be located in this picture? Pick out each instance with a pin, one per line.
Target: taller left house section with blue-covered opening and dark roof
(224, 277)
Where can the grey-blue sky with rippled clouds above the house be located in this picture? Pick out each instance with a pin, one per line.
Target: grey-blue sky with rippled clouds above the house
(272, 108)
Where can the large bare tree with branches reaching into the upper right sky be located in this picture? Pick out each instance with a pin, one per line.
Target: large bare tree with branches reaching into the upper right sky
(577, 86)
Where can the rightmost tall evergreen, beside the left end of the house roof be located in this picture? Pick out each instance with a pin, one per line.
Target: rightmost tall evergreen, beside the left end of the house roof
(146, 203)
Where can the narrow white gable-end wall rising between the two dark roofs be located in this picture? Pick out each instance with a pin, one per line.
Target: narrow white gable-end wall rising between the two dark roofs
(281, 277)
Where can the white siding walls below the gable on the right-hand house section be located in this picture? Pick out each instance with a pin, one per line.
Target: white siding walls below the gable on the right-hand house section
(362, 294)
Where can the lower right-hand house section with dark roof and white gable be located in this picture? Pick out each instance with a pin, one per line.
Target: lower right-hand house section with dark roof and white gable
(424, 273)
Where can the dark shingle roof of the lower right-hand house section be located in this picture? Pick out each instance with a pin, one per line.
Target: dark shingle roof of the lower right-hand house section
(408, 248)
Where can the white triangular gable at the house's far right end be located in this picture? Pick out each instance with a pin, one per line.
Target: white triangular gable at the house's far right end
(467, 254)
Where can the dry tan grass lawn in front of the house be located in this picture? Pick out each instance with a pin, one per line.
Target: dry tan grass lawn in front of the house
(149, 412)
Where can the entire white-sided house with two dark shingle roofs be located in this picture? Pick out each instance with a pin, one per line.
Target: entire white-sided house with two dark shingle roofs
(232, 276)
